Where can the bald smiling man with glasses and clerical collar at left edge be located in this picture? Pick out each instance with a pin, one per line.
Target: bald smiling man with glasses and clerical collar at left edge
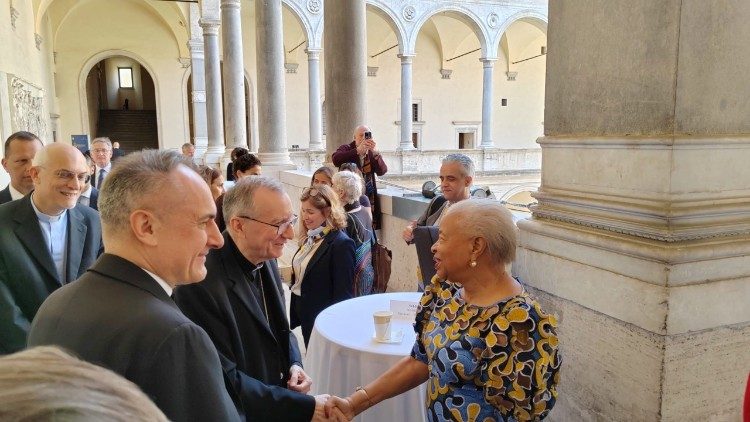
(46, 240)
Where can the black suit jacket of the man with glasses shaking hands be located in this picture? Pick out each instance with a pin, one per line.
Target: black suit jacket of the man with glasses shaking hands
(256, 360)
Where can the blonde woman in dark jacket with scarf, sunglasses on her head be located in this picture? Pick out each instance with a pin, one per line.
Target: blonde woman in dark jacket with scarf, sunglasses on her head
(317, 280)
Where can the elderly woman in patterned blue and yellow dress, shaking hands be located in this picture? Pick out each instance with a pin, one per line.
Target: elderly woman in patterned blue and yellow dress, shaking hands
(485, 345)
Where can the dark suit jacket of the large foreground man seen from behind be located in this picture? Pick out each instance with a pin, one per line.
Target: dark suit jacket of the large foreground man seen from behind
(119, 317)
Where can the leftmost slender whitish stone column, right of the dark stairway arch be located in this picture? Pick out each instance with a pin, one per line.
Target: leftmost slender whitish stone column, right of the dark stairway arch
(198, 77)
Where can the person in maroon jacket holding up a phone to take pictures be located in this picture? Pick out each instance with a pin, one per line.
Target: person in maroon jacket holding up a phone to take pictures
(362, 151)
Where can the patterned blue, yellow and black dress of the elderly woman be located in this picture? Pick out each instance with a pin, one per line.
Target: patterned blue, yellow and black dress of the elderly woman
(486, 363)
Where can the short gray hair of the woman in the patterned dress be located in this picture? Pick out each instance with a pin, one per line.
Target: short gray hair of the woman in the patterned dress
(490, 220)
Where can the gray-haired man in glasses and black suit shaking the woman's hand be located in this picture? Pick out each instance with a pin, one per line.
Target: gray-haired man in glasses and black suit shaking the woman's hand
(241, 305)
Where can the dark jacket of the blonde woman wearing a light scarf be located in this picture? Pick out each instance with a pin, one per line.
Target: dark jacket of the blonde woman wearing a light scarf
(328, 279)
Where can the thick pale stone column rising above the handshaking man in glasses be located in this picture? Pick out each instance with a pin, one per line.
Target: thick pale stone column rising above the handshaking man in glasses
(269, 50)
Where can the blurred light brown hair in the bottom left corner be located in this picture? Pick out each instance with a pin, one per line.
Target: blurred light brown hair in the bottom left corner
(47, 384)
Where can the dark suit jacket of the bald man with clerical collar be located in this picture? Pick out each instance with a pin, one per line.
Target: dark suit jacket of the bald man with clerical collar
(27, 271)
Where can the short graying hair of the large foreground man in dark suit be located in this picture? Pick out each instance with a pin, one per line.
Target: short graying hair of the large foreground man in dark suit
(133, 178)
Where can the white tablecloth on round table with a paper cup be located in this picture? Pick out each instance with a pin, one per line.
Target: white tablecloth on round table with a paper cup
(343, 355)
